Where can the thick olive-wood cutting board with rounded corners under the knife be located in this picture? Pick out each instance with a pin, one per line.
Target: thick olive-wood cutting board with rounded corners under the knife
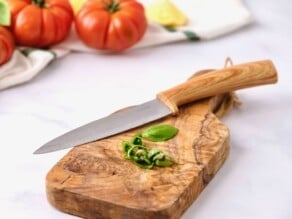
(95, 181)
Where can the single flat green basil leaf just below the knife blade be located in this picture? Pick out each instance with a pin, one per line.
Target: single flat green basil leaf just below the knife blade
(159, 132)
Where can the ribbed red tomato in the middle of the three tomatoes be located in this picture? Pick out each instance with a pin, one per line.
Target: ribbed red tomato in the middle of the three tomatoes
(40, 23)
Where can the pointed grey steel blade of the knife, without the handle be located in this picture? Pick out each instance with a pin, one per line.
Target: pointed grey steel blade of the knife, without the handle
(113, 124)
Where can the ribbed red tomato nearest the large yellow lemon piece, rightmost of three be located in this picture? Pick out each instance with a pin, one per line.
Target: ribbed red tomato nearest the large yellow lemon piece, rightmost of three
(111, 24)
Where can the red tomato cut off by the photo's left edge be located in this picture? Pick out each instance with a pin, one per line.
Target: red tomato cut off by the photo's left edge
(6, 45)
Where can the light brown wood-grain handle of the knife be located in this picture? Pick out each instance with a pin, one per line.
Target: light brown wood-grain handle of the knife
(220, 81)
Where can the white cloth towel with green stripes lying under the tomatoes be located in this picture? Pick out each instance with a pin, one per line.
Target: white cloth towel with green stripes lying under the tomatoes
(207, 19)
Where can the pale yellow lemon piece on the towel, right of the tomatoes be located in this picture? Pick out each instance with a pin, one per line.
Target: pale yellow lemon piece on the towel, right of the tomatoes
(166, 13)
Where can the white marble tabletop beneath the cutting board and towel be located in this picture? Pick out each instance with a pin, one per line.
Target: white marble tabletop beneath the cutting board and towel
(255, 182)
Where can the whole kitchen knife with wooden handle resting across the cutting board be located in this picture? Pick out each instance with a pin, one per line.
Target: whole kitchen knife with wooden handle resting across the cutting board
(167, 103)
